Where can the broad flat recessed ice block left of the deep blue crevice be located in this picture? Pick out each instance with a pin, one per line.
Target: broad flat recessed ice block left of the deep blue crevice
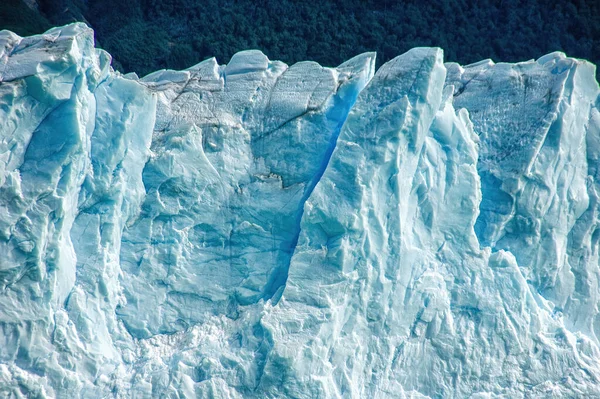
(235, 153)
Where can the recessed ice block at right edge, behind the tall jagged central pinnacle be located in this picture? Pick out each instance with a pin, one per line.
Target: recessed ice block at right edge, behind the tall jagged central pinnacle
(539, 171)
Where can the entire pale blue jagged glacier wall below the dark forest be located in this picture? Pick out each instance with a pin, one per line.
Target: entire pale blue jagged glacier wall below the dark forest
(259, 230)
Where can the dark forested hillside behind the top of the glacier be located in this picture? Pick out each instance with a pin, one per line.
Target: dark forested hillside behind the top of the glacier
(145, 35)
